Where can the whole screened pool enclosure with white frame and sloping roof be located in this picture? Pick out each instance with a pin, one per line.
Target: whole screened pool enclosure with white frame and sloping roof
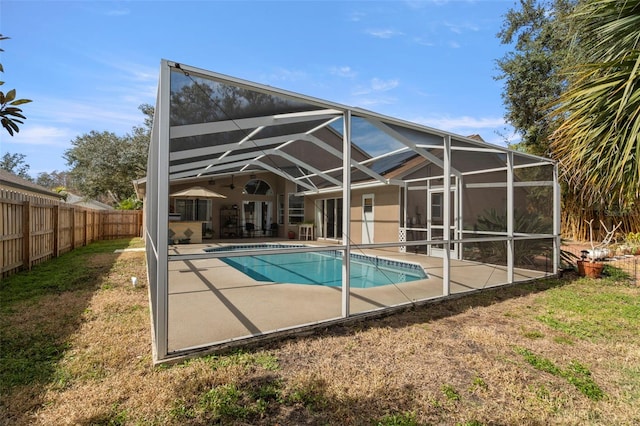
(269, 212)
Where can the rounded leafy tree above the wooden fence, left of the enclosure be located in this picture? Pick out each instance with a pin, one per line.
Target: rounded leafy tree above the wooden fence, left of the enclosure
(103, 165)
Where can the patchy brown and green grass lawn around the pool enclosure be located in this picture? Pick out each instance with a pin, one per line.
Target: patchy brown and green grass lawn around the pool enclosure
(76, 349)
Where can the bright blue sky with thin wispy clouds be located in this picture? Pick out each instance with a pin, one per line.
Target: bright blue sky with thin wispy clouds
(88, 65)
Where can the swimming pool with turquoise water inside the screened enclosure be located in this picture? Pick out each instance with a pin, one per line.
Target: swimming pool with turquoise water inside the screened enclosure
(320, 268)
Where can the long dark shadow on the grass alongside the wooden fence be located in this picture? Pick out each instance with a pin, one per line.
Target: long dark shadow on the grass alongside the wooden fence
(40, 310)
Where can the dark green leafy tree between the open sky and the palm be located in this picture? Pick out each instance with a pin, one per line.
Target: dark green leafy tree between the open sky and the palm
(532, 71)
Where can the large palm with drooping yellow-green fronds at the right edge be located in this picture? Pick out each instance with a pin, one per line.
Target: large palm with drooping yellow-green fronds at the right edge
(598, 143)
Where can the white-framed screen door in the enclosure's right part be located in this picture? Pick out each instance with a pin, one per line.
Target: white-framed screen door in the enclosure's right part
(436, 220)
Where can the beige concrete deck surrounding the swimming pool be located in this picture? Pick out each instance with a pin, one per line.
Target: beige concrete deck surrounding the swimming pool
(211, 302)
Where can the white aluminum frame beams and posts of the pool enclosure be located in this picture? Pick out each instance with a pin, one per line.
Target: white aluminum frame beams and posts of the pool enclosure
(167, 166)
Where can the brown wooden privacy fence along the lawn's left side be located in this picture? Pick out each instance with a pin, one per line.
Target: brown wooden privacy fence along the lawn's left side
(34, 230)
